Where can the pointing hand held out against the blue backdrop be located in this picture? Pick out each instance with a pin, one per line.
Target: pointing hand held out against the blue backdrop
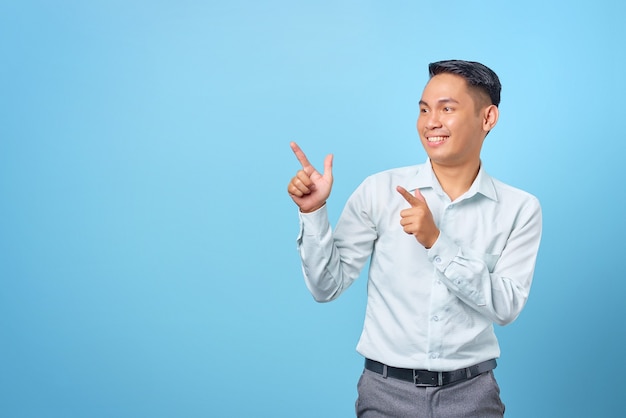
(309, 189)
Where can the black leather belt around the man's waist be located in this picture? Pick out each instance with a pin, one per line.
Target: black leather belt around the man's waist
(428, 378)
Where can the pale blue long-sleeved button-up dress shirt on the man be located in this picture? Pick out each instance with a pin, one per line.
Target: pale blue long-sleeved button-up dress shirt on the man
(427, 309)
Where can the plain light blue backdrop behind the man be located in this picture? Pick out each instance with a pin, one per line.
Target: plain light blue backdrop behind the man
(147, 244)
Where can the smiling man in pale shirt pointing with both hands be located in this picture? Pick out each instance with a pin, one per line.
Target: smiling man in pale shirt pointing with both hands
(452, 251)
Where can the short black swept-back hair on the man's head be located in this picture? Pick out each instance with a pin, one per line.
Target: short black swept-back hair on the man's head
(475, 74)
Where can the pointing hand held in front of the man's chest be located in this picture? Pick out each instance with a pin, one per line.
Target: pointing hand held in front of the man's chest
(418, 219)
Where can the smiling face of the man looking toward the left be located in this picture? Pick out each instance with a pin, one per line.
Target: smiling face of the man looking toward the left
(450, 122)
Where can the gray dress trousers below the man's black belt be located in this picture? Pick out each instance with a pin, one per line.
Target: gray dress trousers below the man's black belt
(387, 397)
